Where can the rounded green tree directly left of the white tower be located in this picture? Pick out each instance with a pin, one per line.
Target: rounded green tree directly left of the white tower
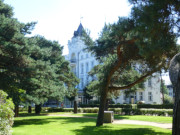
(52, 78)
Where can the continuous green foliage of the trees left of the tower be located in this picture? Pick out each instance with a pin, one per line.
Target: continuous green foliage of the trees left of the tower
(32, 69)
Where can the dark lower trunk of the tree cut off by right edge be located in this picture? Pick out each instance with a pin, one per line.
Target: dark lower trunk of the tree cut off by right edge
(176, 111)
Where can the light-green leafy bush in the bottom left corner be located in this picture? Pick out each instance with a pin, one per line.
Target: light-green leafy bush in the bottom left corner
(6, 114)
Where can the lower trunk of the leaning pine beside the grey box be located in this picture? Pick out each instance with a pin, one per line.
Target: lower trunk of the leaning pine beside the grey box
(100, 118)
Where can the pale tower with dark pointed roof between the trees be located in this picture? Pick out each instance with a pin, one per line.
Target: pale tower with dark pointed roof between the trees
(81, 62)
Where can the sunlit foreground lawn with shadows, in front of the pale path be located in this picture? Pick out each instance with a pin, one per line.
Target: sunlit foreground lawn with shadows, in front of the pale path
(50, 125)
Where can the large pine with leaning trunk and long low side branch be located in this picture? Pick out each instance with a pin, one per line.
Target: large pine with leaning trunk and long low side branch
(137, 46)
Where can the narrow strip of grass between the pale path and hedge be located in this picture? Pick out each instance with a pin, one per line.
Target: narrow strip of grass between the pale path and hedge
(158, 119)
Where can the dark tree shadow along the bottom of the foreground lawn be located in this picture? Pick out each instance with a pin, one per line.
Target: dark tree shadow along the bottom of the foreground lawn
(105, 130)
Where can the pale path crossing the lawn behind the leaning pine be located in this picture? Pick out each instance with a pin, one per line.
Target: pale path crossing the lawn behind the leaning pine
(116, 121)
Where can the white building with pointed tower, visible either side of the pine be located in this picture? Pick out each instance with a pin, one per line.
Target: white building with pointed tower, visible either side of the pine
(82, 62)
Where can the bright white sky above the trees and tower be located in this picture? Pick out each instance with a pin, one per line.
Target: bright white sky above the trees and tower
(58, 19)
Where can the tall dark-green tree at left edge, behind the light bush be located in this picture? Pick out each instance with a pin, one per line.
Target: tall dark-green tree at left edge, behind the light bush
(14, 52)
